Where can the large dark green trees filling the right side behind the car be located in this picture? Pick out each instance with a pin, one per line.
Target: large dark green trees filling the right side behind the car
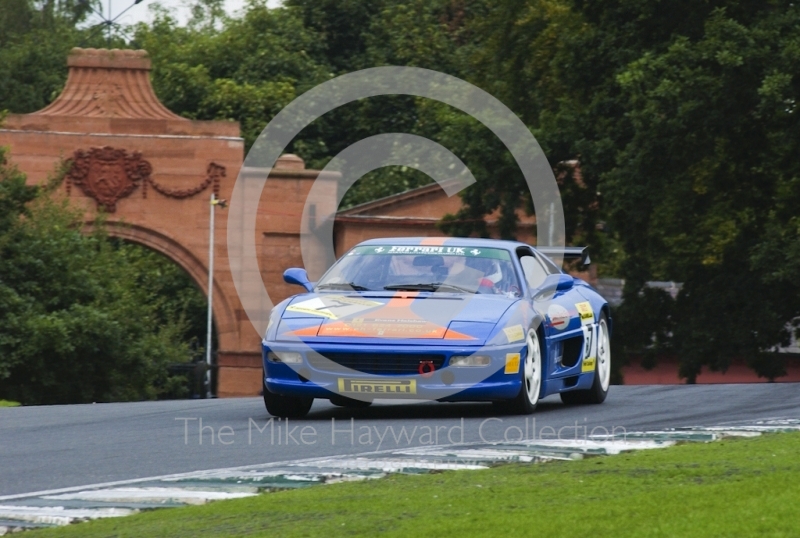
(683, 117)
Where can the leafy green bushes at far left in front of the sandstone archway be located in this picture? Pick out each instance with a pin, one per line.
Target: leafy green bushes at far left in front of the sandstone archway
(81, 319)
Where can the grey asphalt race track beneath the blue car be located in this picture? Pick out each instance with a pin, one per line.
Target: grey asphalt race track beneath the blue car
(52, 447)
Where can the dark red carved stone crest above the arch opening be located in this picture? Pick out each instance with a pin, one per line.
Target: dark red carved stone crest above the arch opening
(108, 174)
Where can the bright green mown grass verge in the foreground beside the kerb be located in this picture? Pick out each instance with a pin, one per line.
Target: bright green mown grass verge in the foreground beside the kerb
(741, 487)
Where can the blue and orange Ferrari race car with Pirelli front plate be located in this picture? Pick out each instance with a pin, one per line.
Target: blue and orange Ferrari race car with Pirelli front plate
(447, 319)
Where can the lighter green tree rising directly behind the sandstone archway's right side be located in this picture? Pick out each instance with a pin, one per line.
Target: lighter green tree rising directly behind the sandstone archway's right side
(246, 70)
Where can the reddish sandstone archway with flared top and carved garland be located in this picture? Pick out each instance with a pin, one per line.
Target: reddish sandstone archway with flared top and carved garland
(153, 173)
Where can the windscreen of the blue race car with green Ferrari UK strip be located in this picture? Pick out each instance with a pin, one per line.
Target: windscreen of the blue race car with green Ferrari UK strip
(424, 268)
